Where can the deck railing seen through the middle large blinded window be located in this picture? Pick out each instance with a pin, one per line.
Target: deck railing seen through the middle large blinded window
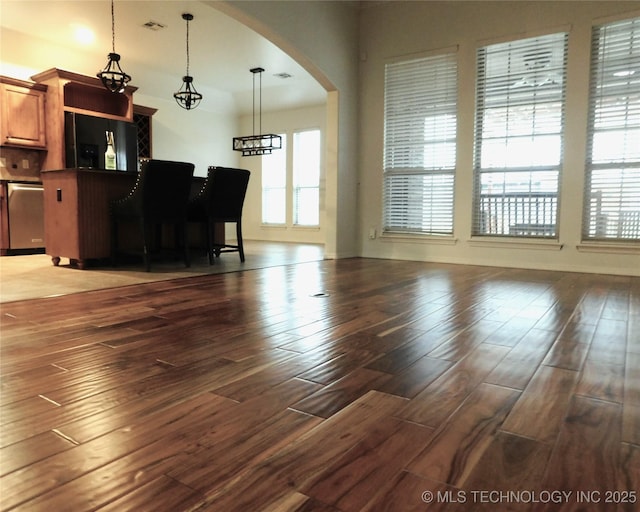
(518, 214)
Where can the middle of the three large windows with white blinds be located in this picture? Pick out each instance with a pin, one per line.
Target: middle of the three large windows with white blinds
(519, 136)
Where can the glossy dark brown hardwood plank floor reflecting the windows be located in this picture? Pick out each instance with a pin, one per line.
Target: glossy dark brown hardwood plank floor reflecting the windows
(347, 385)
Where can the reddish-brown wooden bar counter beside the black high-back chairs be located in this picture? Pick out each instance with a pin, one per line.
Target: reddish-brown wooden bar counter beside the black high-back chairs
(76, 212)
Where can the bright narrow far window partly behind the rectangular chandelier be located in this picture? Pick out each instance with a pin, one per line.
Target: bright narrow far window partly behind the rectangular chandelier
(274, 185)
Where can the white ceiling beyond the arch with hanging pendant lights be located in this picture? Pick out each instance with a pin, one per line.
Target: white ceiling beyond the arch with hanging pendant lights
(222, 51)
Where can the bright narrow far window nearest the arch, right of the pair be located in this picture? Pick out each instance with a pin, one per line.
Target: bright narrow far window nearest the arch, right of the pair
(306, 178)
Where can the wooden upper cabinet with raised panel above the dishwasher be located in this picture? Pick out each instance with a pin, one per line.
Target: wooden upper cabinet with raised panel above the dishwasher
(23, 114)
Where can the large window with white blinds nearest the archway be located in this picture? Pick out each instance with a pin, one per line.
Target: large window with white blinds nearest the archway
(420, 144)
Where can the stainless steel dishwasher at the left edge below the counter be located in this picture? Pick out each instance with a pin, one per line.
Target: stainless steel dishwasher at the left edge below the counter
(25, 202)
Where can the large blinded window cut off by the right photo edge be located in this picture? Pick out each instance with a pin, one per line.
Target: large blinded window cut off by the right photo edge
(612, 192)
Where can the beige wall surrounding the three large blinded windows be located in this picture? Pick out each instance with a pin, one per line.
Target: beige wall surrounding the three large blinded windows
(396, 29)
